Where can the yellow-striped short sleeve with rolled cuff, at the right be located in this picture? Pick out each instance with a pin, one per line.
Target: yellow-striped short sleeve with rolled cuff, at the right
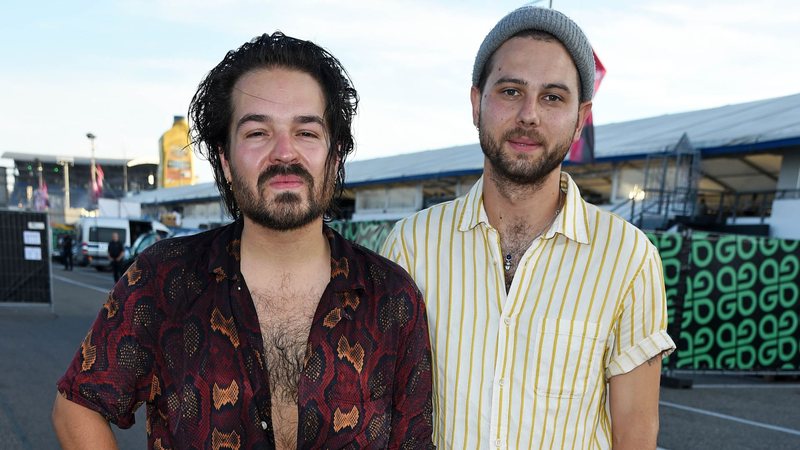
(640, 332)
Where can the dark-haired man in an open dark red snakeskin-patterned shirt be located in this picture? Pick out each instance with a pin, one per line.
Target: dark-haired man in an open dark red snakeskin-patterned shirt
(273, 331)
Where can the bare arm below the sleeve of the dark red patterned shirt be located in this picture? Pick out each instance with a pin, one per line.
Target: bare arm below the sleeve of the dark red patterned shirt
(78, 427)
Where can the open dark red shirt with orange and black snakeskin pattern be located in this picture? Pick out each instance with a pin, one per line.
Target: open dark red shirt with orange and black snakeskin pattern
(179, 333)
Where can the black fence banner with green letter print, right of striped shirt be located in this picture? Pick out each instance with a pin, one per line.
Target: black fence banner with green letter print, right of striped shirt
(733, 301)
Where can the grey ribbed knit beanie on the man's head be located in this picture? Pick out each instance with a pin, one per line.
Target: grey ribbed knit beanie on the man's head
(547, 20)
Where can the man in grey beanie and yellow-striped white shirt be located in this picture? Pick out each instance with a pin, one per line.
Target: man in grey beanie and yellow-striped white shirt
(547, 314)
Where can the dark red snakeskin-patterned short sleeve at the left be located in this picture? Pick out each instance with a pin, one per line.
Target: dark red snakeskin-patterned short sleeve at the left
(113, 370)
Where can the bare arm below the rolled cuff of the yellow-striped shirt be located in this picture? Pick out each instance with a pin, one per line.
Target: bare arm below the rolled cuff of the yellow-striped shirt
(633, 400)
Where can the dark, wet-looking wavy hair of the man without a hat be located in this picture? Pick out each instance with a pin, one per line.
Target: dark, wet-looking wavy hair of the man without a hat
(211, 108)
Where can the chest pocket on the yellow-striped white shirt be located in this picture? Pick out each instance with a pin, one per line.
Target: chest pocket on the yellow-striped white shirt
(569, 358)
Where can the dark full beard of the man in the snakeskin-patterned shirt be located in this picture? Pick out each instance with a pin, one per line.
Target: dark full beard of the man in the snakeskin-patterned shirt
(287, 210)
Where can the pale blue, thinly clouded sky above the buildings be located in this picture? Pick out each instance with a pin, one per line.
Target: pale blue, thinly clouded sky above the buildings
(122, 69)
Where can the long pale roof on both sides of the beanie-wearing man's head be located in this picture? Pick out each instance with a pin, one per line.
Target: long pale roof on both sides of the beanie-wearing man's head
(745, 127)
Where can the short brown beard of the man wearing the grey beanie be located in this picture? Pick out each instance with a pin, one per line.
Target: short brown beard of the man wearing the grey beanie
(522, 169)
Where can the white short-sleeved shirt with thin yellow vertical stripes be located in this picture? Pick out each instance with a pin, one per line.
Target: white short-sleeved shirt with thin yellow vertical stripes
(529, 369)
